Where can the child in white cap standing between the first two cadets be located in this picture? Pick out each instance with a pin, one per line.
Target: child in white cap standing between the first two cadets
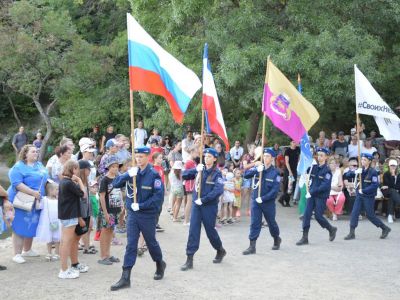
(175, 180)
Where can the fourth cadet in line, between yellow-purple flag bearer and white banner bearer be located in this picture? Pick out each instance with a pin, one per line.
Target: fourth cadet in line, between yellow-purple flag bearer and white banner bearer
(320, 186)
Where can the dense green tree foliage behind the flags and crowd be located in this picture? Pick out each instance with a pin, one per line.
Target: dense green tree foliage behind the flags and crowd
(79, 47)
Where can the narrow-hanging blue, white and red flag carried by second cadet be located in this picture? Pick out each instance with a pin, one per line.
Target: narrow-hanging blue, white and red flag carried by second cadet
(214, 120)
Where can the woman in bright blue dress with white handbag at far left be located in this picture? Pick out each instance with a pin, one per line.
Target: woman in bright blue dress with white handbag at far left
(27, 176)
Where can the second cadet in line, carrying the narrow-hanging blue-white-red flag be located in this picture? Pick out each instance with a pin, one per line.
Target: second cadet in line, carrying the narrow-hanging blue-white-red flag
(205, 207)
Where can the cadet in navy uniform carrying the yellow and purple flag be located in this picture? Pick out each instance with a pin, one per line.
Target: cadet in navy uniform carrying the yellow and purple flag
(265, 204)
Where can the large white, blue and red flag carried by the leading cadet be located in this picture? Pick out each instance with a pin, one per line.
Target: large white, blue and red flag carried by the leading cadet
(154, 70)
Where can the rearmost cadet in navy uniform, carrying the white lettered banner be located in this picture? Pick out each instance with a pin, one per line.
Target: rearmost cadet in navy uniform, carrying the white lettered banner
(365, 197)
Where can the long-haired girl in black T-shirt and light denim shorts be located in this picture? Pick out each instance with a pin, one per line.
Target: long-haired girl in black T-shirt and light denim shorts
(71, 190)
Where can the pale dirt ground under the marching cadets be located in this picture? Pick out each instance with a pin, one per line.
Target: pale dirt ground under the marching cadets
(365, 268)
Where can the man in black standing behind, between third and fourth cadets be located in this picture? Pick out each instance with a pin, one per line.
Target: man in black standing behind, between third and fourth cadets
(292, 155)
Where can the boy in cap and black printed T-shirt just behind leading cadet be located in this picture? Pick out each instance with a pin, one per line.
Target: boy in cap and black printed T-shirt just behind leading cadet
(111, 203)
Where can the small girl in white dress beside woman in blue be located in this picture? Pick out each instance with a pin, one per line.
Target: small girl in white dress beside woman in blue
(49, 228)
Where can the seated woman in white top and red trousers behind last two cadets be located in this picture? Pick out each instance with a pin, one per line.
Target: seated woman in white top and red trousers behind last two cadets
(336, 198)
